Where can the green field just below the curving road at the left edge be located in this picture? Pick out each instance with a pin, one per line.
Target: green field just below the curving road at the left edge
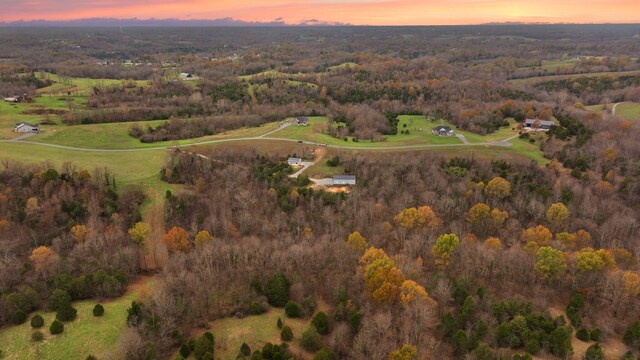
(139, 167)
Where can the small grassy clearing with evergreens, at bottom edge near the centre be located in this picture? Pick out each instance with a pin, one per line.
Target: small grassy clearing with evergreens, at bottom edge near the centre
(255, 330)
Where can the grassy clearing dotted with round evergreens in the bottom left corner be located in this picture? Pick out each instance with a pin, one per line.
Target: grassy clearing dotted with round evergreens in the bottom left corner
(87, 335)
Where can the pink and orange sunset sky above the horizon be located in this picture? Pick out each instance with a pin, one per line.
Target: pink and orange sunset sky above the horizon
(357, 12)
